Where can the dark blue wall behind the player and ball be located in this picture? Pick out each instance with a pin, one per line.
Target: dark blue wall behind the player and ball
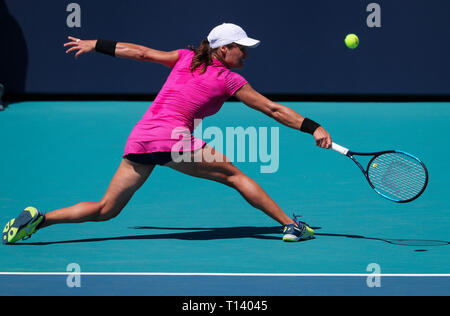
(302, 49)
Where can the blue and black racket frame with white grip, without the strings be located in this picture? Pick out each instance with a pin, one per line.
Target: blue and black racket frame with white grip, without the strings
(346, 152)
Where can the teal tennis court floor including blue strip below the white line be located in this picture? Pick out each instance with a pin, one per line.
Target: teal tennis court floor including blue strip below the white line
(186, 236)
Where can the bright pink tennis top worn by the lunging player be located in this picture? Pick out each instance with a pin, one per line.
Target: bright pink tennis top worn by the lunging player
(185, 97)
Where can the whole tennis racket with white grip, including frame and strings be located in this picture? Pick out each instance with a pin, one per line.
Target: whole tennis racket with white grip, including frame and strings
(395, 175)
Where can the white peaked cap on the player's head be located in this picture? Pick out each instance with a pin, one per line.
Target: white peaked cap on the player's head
(228, 33)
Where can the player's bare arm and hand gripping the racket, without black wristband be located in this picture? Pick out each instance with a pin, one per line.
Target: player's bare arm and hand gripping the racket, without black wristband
(281, 113)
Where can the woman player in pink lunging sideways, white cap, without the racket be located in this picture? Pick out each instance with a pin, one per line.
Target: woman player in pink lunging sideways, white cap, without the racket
(200, 82)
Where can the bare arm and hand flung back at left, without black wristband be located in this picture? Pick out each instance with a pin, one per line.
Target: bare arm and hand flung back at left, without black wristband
(125, 50)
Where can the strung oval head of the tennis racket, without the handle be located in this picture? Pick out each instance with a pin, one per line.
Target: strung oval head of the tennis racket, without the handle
(398, 176)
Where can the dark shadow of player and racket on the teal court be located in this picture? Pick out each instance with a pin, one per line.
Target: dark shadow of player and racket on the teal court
(237, 232)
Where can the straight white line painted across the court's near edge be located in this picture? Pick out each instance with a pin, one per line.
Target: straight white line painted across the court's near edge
(228, 274)
